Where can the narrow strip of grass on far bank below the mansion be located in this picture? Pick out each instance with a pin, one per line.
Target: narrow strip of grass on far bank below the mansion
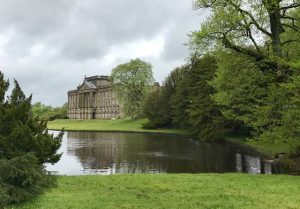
(107, 125)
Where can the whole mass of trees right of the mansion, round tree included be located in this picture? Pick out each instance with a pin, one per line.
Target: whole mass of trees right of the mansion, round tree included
(242, 76)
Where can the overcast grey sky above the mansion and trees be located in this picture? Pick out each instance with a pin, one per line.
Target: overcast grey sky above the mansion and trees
(49, 46)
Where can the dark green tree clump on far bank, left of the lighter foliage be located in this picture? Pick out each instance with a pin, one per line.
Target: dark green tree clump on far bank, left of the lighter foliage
(184, 101)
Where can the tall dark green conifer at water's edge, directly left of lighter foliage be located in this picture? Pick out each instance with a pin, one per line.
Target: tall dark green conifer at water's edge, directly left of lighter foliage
(204, 115)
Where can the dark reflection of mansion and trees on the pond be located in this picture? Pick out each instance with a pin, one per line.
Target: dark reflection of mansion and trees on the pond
(138, 152)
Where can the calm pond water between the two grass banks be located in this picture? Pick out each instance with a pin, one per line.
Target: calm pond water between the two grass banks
(110, 153)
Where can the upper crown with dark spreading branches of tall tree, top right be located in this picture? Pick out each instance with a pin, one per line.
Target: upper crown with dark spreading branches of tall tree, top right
(254, 28)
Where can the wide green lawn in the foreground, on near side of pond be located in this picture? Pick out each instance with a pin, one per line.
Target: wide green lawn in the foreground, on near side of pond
(171, 191)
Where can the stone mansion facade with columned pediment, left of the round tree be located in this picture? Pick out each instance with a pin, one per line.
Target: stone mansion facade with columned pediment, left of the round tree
(94, 99)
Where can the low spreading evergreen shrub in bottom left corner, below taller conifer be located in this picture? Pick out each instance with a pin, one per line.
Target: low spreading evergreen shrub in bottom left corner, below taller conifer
(22, 178)
